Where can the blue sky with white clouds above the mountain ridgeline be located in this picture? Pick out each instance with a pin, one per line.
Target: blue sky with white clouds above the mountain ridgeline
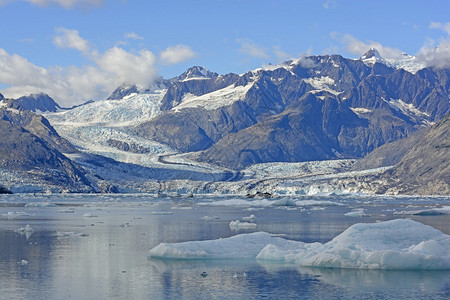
(80, 50)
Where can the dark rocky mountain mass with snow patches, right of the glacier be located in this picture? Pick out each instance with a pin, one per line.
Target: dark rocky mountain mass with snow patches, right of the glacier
(321, 107)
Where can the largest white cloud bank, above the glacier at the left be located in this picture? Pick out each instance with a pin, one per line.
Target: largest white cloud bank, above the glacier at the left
(74, 85)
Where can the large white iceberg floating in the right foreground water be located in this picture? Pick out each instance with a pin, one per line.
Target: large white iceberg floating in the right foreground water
(396, 244)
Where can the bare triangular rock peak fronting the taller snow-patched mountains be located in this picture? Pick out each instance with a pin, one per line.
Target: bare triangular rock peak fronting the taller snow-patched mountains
(313, 129)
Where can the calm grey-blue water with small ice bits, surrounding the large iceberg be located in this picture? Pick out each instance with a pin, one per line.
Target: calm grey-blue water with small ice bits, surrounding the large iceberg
(95, 247)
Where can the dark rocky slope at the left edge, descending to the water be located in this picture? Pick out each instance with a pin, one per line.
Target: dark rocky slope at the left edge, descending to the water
(31, 145)
